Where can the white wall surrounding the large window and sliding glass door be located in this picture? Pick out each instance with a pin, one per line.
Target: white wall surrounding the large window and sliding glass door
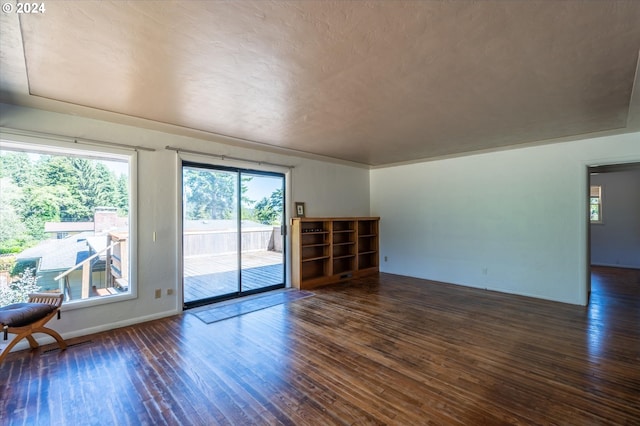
(326, 188)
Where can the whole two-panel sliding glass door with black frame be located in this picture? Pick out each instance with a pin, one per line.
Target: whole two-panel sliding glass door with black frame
(232, 239)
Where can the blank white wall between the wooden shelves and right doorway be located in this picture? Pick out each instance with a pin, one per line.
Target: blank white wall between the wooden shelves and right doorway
(513, 221)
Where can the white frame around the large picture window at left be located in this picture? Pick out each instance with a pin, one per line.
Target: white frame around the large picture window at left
(53, 146)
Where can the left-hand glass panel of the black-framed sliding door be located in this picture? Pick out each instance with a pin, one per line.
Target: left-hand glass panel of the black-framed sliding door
(210, 233)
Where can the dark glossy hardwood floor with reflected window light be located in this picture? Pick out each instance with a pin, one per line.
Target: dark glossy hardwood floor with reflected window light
(380, 350)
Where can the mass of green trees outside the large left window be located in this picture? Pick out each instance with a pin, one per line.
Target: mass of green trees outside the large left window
(52, 188)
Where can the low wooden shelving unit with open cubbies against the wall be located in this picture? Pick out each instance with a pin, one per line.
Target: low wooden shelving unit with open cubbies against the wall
(329, 250)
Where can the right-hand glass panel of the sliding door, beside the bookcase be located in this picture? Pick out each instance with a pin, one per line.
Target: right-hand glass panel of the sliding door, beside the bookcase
(262, 242)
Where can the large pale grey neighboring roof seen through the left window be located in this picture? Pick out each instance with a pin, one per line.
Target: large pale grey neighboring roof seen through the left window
(60, 255)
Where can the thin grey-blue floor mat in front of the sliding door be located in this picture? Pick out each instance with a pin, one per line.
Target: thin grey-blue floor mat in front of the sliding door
(219, 313)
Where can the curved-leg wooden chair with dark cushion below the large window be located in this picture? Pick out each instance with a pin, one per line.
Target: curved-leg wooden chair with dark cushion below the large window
(24, 319)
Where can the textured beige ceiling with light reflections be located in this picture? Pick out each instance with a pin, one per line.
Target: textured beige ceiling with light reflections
(374, 82)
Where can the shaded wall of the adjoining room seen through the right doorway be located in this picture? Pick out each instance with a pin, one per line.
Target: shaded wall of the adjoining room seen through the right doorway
(616, 241)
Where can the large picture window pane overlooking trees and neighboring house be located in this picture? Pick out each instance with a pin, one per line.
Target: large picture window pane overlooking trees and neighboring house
(64, 222)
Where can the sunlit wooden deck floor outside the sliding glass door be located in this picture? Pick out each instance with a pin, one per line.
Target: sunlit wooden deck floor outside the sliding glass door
(208, 276)
